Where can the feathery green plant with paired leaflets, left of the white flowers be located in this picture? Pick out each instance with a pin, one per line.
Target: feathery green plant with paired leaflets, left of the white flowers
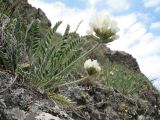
(50, 63)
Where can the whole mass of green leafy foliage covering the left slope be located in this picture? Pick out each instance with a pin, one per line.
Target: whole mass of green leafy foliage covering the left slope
(36, 58)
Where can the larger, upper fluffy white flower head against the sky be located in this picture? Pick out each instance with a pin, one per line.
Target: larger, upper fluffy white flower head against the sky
(104, 27)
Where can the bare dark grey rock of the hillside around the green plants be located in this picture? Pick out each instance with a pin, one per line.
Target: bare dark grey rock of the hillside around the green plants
(93, 101)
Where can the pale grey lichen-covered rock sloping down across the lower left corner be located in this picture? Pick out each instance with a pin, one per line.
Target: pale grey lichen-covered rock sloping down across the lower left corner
(19, 101)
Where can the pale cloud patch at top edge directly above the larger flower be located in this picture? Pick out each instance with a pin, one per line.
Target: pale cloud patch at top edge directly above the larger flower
(118, 5)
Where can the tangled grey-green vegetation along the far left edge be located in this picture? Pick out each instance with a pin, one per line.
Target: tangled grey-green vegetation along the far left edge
(12, 42)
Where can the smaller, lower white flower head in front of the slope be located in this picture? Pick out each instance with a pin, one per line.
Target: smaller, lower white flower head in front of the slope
(92, 66)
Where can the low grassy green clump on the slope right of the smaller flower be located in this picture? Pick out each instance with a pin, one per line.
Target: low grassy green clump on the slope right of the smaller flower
(121, 78)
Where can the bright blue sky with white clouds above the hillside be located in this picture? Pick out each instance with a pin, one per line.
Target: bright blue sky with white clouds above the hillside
(138, 20)
